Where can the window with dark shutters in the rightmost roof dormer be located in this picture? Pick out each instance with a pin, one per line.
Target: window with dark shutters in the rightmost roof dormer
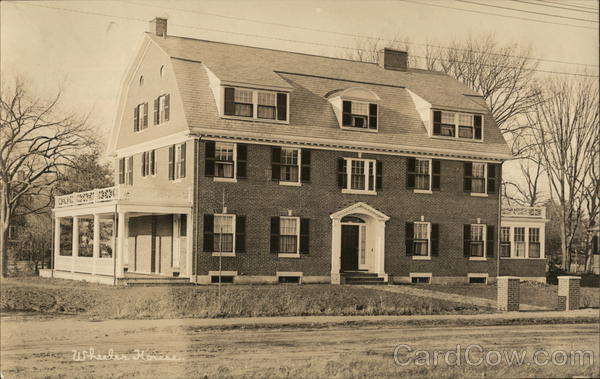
(457, 125)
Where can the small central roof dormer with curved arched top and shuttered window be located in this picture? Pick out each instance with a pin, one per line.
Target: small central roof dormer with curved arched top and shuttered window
(355, 108)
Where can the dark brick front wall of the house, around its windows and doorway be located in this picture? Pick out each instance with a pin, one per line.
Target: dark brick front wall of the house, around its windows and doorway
(259, 198)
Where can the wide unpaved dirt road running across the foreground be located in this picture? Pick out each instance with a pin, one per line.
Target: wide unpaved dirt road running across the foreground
(167, 348)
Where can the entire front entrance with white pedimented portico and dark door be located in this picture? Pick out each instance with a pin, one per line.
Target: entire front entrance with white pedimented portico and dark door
(358, 241)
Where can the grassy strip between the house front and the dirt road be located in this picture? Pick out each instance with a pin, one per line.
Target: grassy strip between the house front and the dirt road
(55, 296)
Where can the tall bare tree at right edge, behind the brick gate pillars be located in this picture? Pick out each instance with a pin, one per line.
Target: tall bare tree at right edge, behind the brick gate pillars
(564, 126)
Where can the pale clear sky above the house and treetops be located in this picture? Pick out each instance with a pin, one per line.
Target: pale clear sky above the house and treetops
(84, 47)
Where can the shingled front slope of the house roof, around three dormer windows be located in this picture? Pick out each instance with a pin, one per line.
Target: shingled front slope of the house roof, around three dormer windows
(310, 79)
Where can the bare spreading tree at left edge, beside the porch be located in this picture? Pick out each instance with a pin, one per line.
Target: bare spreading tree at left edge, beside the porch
(36, 141)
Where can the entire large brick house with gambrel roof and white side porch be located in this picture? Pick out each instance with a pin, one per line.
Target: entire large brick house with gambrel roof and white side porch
(270, 166)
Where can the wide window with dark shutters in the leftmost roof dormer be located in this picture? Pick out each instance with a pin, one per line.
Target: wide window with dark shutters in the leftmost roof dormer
(255, 104)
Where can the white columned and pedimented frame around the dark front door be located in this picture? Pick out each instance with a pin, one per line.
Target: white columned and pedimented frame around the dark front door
(375, 239)
